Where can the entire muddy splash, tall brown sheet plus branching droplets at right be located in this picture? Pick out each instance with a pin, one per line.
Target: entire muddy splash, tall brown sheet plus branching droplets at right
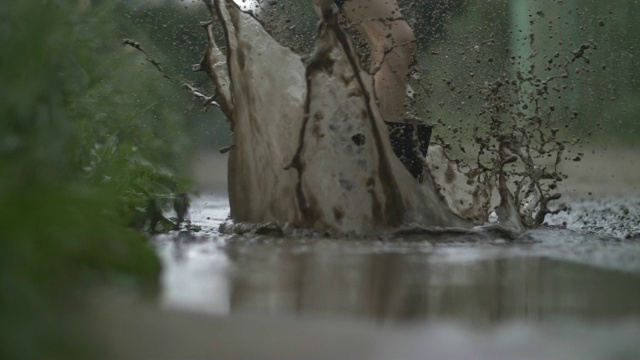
(295, 159)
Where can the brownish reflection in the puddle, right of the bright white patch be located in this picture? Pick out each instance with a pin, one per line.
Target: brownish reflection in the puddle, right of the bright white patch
(401, 286)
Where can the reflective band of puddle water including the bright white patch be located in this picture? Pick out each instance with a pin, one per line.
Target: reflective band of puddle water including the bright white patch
(394, 281)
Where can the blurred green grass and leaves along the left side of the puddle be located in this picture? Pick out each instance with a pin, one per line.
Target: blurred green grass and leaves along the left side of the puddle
(86, 139)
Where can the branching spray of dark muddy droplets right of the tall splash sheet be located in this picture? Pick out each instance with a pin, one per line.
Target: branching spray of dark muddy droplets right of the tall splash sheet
(519, 151)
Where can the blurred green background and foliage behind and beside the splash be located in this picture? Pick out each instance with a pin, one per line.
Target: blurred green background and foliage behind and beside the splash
(94, 140)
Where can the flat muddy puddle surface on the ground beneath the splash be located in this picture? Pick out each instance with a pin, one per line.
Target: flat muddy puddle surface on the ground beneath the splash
(552, 293)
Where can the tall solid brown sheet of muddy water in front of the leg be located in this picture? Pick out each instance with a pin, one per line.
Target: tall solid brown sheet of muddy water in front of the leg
(310, 148)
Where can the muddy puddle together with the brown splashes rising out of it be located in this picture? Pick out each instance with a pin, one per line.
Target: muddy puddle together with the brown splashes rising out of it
(569, 289)
